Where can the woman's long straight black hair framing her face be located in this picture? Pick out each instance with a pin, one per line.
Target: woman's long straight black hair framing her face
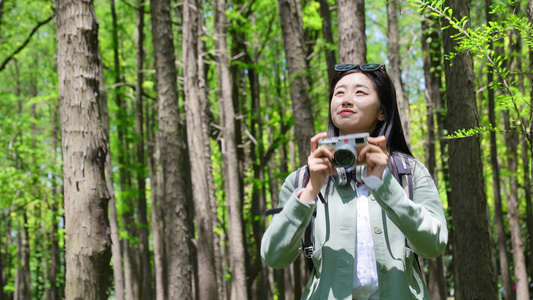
(391, 127)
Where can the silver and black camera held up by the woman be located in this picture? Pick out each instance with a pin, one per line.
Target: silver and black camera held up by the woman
(345, 152)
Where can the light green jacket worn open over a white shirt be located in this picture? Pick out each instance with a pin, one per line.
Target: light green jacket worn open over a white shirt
(400, 227)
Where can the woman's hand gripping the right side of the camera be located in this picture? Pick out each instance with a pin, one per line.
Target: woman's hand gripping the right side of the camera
(375, 156)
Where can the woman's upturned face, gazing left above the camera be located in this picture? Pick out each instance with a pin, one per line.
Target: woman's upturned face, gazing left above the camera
(355, 105)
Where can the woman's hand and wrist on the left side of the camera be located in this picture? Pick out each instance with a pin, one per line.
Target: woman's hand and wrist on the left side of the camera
(320, 167)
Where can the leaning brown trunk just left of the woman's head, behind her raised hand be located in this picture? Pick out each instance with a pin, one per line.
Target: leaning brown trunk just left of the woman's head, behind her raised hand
(291, 25)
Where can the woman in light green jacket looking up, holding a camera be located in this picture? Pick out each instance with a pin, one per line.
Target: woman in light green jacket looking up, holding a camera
(366, 234)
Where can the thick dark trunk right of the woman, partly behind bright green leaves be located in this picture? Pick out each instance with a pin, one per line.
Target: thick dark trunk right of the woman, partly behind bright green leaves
(471, 239)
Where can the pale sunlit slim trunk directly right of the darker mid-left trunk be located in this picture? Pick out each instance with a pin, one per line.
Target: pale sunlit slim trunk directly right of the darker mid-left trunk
(200, 156)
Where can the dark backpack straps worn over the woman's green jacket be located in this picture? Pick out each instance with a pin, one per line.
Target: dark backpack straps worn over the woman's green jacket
(399, 168)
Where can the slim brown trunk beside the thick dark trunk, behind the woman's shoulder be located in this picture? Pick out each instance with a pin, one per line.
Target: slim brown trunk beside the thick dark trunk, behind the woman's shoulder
(436, 277)
